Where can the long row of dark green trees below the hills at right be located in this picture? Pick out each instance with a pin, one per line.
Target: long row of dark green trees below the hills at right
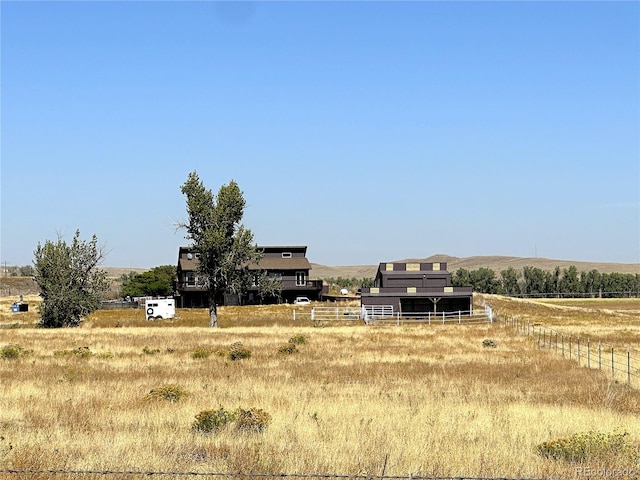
(534, 281)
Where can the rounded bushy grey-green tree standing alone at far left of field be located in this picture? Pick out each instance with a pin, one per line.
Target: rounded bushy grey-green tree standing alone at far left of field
(71, 284)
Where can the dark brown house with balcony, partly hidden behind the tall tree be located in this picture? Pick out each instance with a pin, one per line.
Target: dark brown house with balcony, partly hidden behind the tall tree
(288, 264)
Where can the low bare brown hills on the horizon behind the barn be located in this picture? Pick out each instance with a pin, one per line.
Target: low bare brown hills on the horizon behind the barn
(495, 263)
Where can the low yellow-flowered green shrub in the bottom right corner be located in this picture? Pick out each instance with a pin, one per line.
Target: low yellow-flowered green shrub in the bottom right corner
(590, 446)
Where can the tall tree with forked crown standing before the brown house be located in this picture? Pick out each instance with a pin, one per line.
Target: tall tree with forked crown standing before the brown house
(224, 245)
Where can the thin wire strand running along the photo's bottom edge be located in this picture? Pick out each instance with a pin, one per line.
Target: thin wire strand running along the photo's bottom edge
(240, 475)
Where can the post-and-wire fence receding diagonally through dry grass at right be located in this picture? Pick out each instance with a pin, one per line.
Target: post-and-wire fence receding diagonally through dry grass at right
(623, 363)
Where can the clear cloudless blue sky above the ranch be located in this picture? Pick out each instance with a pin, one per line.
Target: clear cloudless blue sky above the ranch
(368, 131)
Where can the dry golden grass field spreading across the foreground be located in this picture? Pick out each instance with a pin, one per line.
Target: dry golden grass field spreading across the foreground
(351, 399)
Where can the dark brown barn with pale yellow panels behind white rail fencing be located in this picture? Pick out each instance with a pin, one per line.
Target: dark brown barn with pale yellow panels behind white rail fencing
(416, 288)
